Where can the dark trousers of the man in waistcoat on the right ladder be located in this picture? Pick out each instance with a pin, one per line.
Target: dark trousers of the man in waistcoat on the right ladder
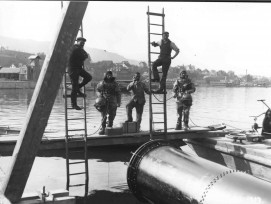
(165, 63)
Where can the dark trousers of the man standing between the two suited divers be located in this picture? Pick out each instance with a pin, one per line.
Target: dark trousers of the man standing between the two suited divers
(139, 110)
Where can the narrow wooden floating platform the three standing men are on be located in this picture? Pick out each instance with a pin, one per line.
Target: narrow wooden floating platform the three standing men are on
(7, 142)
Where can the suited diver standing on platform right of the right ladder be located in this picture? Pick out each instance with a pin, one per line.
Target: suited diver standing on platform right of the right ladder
(182, 90)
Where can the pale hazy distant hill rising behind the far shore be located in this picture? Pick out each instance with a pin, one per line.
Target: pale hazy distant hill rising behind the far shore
(31, 46)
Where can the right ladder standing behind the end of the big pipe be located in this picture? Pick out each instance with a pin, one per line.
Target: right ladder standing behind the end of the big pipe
(155, 105)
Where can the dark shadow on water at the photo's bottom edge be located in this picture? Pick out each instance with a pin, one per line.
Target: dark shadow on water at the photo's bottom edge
(106, 197)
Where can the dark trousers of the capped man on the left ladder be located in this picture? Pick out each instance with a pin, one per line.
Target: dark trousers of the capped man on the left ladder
(74, 76)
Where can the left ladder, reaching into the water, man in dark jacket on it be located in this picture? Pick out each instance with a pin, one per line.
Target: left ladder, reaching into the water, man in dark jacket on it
(75, 136)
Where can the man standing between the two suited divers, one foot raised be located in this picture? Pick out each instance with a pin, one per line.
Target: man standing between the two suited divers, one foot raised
(138, 100)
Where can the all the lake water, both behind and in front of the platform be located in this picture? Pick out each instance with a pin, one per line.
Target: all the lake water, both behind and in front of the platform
(107, 167)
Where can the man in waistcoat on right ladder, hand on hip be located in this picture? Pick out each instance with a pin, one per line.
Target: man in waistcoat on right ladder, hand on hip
(164, 60)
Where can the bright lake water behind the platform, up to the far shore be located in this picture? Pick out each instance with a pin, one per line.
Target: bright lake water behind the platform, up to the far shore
(212, 105)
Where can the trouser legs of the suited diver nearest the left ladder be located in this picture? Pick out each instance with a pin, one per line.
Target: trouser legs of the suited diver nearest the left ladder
(111, 110)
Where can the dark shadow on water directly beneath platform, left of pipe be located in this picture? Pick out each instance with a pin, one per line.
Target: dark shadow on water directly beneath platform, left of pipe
(121, 153)
